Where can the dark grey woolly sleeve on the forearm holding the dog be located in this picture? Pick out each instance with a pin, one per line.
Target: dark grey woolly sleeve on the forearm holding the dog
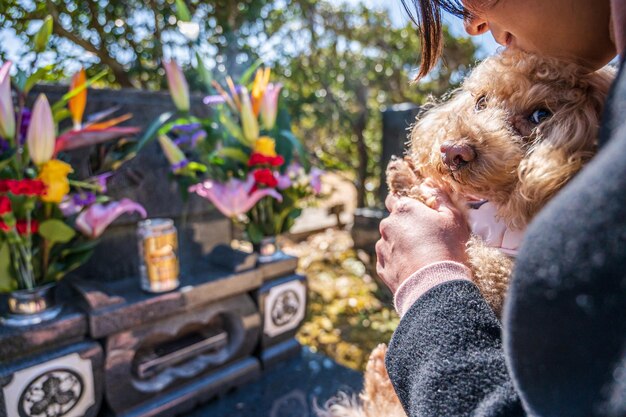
(446, 358)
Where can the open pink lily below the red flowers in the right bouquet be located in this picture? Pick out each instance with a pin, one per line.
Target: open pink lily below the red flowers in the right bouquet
(234, 197)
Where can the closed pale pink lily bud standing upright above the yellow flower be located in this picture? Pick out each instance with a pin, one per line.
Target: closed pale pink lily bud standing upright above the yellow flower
(41, 132)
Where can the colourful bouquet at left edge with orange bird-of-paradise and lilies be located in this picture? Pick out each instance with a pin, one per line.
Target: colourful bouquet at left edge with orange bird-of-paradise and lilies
(49, 220)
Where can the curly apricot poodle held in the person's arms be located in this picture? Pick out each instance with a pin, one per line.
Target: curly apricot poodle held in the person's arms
(524, 125)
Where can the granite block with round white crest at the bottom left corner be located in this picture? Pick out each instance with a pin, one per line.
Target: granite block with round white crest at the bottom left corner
(37, 382)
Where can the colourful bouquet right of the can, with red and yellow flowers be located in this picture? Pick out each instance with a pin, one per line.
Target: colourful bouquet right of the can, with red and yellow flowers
(245, 159)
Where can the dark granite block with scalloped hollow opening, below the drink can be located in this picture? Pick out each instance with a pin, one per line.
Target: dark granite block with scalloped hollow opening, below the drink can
(144, 363)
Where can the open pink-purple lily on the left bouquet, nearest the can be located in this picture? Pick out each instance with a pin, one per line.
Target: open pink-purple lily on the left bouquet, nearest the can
(93, 221)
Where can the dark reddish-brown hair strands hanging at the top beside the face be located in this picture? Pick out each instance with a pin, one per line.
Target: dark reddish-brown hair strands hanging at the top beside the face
(426, 14)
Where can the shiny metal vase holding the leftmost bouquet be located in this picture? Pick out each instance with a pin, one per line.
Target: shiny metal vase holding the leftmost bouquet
(28, 307)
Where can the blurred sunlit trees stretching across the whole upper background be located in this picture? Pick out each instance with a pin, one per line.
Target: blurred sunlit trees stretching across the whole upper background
(341, 64)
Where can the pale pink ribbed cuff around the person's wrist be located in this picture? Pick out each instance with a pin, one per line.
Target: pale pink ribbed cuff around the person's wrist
(426, 278)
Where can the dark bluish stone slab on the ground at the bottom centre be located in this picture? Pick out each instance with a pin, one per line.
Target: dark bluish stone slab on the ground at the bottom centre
(288, 390)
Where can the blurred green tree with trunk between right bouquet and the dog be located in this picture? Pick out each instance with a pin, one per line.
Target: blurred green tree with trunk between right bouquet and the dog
(342, 66)
